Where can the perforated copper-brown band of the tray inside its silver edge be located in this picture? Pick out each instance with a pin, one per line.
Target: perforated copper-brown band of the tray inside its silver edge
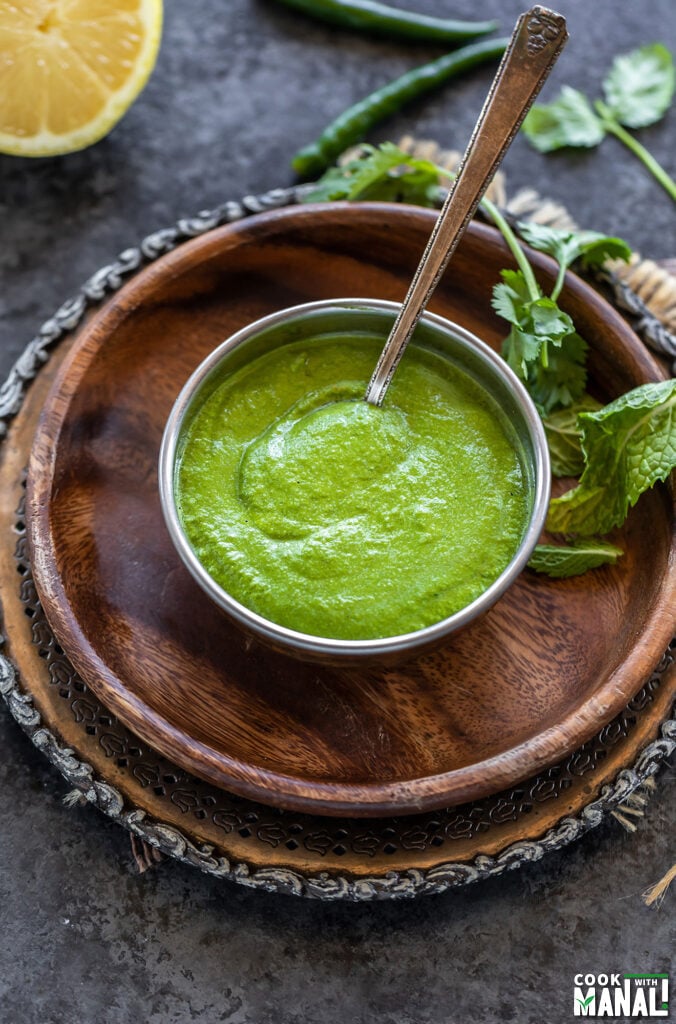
(228, 827)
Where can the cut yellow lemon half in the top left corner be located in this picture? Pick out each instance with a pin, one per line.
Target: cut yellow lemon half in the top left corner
(70, 69)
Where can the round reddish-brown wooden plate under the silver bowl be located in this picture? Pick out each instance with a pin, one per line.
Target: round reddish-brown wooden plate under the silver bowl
(532, 681)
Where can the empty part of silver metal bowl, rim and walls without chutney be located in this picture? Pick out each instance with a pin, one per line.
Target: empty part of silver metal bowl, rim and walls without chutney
(362, 316)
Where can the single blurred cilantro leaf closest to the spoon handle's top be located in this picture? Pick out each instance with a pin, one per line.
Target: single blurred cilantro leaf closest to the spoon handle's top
(569, 121)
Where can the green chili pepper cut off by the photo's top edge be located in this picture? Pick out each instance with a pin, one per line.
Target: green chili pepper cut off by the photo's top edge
(379, 20)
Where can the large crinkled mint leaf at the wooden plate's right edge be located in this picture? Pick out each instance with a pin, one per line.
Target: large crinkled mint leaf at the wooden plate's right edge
(628, 447)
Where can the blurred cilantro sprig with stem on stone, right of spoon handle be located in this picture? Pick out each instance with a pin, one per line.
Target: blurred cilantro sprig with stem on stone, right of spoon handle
(639, 92)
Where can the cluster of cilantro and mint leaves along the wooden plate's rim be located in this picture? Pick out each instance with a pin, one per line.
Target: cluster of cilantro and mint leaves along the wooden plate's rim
(618, 451)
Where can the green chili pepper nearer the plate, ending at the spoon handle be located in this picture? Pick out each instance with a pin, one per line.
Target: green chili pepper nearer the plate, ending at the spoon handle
(354, 124)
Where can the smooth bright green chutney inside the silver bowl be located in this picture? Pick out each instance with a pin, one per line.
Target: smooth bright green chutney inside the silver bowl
(337, 519)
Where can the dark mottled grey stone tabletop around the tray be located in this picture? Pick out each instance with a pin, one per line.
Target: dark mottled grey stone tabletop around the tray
(238, 88)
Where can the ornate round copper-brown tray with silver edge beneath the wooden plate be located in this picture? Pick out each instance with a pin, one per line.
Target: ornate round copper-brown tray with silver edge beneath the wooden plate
(233, 837)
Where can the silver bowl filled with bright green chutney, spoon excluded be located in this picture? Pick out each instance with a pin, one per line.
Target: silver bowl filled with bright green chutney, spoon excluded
(339, 531)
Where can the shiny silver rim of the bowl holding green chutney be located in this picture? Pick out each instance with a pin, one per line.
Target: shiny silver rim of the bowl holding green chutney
(334, 649)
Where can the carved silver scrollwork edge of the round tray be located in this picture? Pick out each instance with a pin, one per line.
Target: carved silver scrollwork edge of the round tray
(174, 842)
